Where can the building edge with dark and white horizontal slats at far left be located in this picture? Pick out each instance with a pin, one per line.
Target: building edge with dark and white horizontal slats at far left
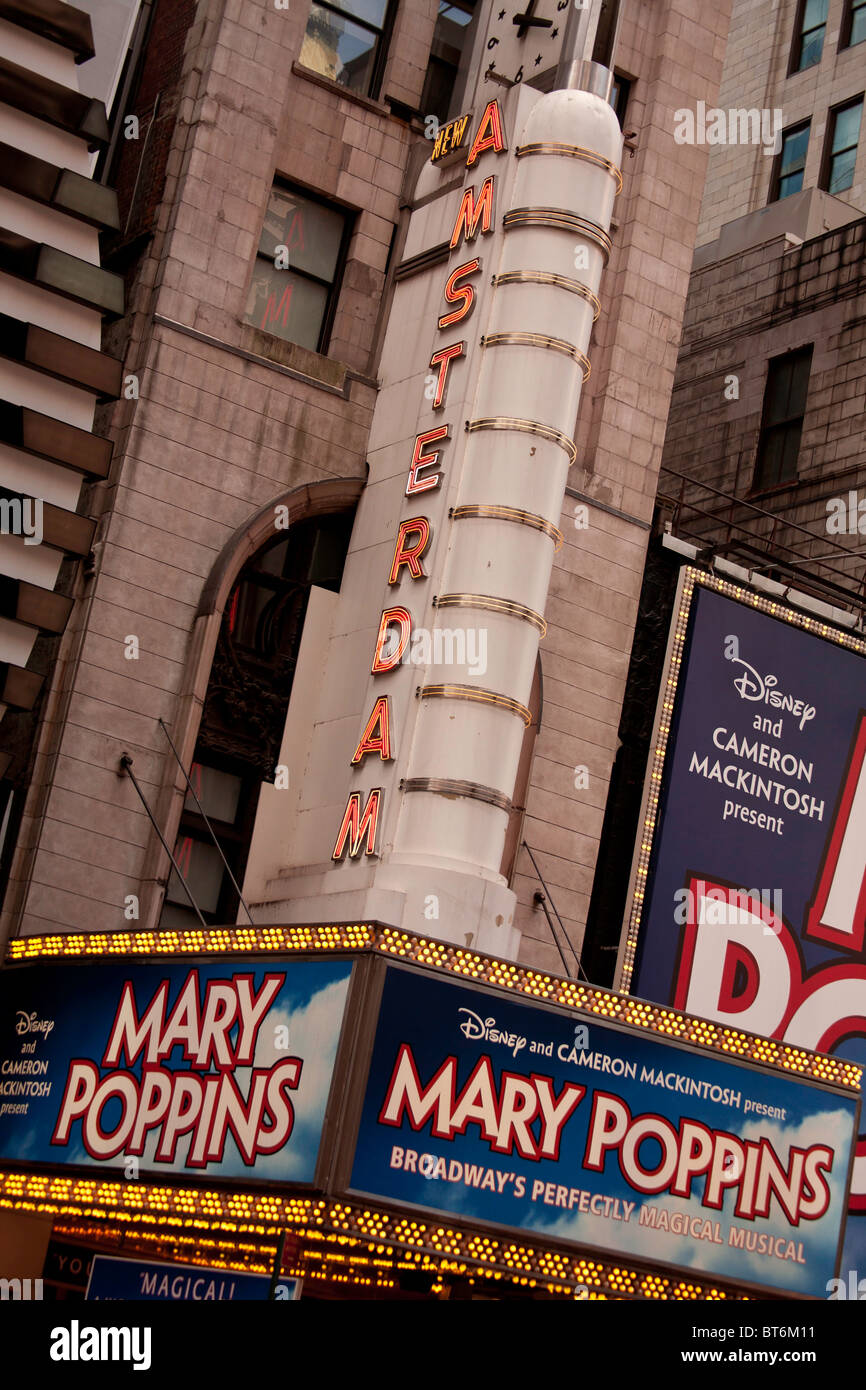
(55, 301)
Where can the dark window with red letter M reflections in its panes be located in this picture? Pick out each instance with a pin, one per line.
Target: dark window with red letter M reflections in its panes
(298, 269)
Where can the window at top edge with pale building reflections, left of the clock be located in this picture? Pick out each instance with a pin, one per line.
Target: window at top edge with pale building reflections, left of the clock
(348, 44)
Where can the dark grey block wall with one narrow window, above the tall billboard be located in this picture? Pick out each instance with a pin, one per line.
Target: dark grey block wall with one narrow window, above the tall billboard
(743, 312)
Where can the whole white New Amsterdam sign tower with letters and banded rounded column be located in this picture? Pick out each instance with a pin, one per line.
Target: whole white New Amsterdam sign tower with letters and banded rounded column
(409, 789)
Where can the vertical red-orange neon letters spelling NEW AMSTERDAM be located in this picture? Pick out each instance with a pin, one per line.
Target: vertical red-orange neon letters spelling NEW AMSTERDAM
(359, 826)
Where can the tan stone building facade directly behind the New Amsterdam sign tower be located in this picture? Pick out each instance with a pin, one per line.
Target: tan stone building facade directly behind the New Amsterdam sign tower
(240, 425)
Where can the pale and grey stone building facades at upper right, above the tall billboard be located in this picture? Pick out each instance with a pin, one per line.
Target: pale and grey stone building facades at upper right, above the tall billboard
(778, 272)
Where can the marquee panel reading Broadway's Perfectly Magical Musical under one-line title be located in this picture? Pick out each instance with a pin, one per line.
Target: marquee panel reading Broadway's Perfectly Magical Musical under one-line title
(533, 1120)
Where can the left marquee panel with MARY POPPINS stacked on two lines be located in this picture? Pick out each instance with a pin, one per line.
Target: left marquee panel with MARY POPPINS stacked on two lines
(209, 1070)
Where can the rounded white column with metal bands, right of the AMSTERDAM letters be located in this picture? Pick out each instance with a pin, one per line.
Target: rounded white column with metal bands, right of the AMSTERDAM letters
(504, 528)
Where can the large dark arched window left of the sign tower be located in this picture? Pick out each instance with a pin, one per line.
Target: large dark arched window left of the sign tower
(245, 711)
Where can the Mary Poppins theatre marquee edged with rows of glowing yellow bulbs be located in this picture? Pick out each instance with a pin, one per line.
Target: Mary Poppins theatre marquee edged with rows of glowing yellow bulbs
(546, 1039)
